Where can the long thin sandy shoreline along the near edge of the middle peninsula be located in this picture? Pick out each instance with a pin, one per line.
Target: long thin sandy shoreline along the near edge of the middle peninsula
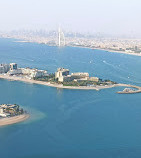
(60, 86)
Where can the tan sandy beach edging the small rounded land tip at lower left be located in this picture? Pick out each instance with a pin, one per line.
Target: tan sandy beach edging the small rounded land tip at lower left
(13, 120)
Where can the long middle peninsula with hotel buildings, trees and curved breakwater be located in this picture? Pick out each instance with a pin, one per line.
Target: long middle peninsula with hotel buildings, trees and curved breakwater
(61, 79)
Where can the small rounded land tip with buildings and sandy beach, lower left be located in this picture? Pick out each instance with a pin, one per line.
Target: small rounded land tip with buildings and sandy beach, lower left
(11, 114)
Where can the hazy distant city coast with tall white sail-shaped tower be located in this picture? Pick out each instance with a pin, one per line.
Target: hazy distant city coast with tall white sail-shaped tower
(124, 44)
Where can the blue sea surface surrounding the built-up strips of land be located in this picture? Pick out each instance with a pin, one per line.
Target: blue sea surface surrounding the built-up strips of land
(72, 123)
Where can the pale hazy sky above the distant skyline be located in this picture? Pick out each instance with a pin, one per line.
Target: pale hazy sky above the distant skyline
(109, 16)
